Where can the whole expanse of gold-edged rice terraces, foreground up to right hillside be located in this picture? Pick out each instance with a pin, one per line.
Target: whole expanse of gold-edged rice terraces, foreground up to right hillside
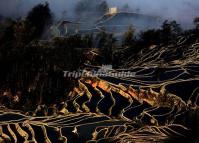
(157, 105)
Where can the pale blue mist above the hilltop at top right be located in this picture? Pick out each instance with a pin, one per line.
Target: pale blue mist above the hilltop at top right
(183, 11)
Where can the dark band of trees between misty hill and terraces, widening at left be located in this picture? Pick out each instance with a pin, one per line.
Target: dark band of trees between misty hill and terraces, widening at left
(29, 63)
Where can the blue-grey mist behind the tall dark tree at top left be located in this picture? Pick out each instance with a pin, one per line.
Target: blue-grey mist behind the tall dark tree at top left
(20, 8)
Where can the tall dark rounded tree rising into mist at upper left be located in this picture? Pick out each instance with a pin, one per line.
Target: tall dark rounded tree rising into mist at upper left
(40, 17)
